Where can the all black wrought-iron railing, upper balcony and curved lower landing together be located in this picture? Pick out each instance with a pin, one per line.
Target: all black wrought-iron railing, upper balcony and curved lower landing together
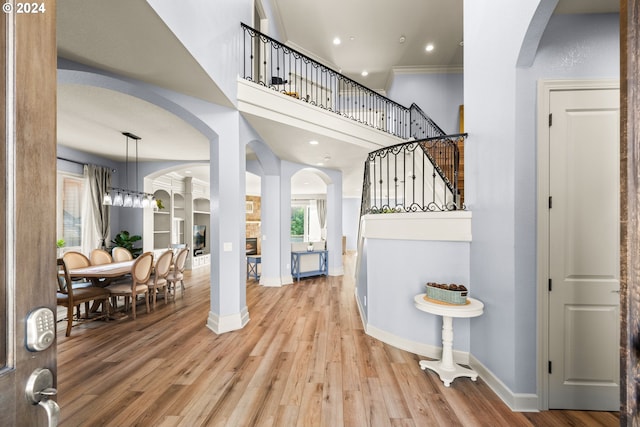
(420, 175)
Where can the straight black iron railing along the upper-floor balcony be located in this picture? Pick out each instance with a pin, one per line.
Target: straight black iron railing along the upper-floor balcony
(281, 68)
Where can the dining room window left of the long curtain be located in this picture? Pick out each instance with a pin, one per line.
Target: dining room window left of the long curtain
(69, 210)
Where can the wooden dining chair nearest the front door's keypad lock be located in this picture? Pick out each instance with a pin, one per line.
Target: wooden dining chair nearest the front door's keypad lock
(71, 297)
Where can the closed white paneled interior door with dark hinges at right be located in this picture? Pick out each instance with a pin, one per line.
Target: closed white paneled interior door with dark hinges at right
(584, 261)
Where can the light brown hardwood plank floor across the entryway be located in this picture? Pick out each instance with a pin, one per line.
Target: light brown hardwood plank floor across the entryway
(303, 360)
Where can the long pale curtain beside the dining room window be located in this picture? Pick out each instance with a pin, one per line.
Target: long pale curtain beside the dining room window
(96, 226)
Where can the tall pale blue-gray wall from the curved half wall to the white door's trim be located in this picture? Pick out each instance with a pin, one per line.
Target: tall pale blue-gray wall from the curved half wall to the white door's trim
(500, 165)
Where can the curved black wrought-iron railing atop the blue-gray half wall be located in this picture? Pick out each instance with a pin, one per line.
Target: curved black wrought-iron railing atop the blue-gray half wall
(416, 176)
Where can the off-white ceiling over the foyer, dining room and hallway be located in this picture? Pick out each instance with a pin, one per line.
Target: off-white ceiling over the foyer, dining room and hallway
(107, 36)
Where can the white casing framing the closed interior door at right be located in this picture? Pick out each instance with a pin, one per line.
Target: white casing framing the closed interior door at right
(545, 87)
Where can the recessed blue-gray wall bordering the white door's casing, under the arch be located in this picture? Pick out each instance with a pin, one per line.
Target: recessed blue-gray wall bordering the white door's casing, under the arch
(572, 47)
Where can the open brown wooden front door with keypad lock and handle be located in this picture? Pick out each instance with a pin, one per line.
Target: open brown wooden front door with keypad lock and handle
(27, 200)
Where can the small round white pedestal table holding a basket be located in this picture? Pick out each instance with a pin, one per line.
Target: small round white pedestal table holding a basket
(446, 368)
